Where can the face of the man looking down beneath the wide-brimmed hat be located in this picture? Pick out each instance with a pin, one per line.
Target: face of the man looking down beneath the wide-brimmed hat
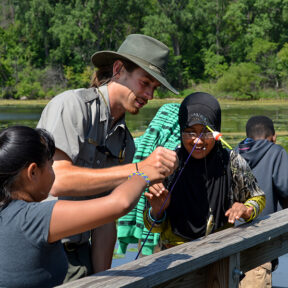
(137, 88)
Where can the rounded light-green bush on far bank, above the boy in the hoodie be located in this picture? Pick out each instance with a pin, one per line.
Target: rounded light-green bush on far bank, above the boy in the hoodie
(243, 79)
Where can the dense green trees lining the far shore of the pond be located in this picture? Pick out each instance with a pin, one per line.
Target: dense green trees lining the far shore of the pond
(46, 45)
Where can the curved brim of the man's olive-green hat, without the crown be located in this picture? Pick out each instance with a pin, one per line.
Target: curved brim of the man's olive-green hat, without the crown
(103, 58)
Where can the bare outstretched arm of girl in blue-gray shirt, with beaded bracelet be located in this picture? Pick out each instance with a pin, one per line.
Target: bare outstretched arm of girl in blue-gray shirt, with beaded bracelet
(73, 217)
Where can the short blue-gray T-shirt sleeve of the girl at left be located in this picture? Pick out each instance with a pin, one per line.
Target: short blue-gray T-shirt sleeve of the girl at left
(36, 222)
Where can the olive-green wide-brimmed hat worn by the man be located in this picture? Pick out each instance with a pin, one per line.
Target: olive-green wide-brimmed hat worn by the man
(146, 52)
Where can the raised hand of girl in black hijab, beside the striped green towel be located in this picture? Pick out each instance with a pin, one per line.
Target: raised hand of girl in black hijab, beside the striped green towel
(157, 197)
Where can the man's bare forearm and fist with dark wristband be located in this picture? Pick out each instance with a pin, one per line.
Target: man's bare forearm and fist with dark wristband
(72, 180)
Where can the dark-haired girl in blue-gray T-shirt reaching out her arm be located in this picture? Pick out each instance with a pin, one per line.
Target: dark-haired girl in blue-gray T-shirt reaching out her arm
(31, 254)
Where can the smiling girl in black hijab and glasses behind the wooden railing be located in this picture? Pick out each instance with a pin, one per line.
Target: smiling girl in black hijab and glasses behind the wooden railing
(215, 188)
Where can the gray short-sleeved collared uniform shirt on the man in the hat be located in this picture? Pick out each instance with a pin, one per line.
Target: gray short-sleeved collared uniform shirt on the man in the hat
(80, 121)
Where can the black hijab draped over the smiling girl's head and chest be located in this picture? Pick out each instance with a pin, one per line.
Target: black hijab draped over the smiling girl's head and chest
(204, 183)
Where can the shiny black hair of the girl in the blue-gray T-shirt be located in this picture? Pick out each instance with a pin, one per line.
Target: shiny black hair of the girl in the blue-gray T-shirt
(19, 147)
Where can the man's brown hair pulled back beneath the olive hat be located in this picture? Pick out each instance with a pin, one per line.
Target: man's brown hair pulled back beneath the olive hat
(104, 74)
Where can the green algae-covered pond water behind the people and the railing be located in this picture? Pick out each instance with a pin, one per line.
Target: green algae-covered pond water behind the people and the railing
(234, 119)
